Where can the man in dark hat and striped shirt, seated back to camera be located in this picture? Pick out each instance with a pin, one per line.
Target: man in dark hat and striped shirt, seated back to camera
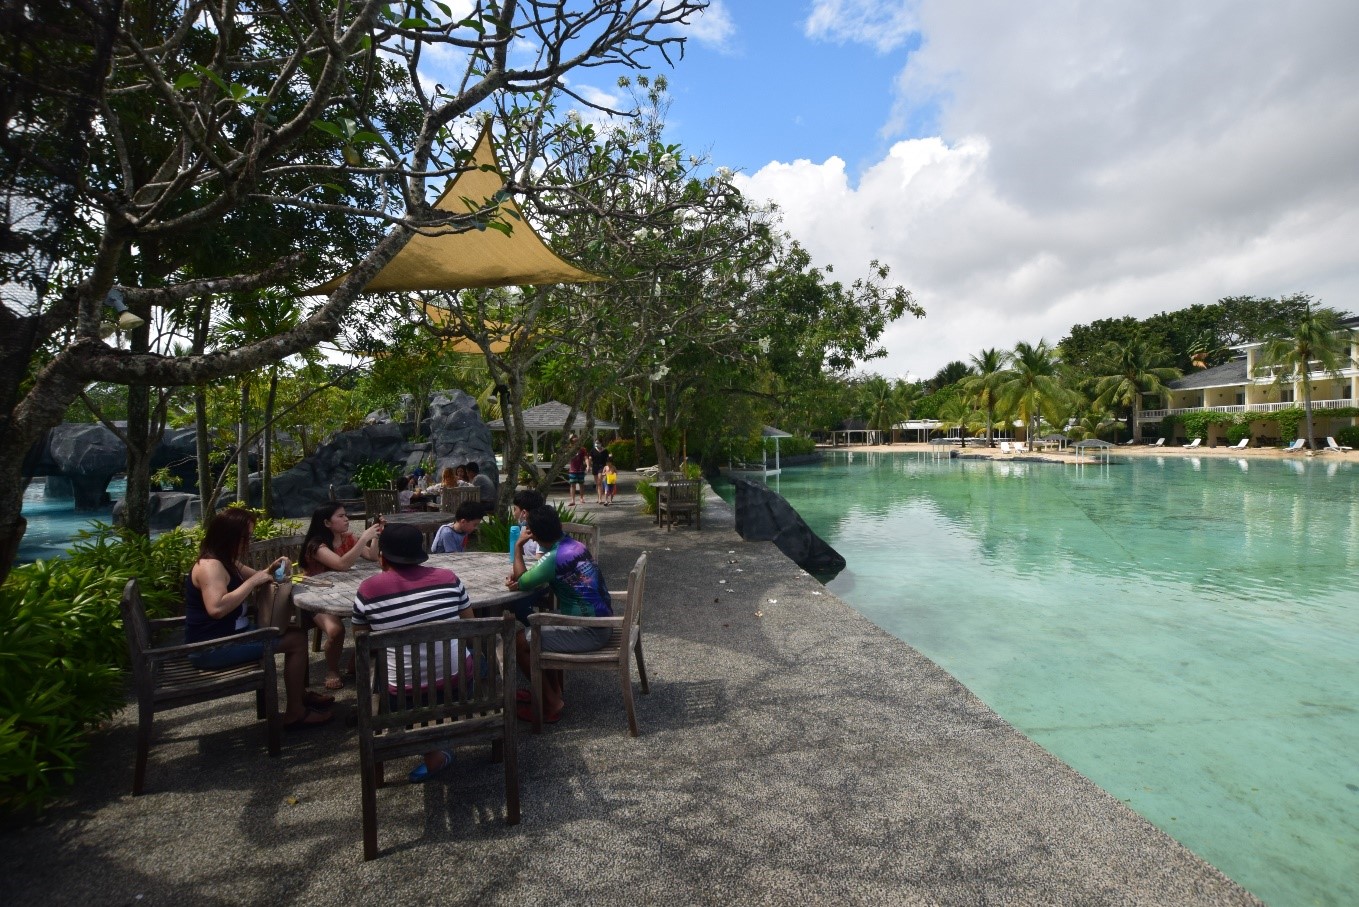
(406, 595)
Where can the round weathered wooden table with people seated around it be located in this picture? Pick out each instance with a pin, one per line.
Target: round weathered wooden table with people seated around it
(483, 576)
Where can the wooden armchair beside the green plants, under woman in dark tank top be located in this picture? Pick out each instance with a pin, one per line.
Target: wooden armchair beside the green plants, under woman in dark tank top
(164, 678)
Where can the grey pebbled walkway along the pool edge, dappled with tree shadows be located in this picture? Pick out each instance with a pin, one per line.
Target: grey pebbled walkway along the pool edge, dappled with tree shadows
(790, 754)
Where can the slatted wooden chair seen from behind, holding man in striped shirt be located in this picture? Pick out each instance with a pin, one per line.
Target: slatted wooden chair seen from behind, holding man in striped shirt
(467, 709)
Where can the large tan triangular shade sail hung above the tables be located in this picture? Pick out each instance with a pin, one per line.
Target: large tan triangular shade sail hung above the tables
(476, 258)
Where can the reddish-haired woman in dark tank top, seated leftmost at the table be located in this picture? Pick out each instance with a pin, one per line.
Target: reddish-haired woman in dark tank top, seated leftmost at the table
(215, 596)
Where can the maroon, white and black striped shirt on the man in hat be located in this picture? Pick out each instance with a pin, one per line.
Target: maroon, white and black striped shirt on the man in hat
(406, 598)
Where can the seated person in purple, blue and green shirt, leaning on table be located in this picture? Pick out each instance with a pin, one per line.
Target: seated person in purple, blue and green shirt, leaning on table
(578, 583)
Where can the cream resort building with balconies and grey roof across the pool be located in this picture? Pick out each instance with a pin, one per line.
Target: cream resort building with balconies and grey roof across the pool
(1236, 387)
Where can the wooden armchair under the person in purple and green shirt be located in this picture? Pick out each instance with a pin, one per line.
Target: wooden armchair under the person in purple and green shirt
(624, 644)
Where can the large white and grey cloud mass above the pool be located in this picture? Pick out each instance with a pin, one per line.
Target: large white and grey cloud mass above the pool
(1095, 162)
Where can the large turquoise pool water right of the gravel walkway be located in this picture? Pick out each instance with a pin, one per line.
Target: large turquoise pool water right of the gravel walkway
(1183, 632)
